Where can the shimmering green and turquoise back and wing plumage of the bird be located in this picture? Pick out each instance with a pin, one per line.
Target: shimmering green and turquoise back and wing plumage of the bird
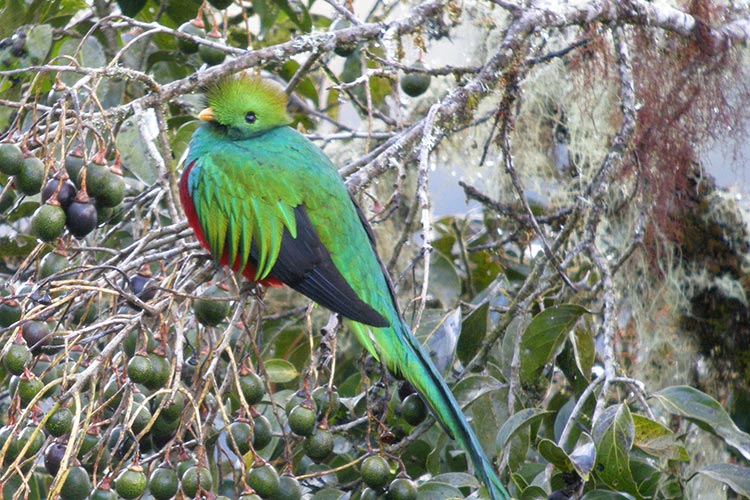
(245, 190)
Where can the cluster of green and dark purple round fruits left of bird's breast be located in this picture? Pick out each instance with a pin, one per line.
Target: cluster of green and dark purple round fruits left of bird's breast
(77, 206)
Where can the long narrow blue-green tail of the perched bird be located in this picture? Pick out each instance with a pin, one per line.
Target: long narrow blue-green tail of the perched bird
(405, 358)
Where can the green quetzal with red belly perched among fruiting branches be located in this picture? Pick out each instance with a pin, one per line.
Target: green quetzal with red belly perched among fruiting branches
(266, 201)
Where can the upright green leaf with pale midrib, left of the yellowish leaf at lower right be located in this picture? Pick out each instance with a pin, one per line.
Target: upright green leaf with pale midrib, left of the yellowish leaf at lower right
(613, 434)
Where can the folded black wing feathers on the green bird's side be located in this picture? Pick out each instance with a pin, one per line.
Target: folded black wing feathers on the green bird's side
(305, 265)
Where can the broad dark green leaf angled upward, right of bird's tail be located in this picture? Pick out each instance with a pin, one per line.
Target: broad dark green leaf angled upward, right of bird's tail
(544, 336)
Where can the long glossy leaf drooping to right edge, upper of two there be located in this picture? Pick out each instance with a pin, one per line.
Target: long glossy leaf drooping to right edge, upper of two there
(705, 411)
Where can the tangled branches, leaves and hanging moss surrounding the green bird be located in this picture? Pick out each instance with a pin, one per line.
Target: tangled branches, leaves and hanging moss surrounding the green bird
(590, 307)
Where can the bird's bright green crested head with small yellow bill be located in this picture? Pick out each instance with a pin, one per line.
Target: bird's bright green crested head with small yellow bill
(245, 105)
